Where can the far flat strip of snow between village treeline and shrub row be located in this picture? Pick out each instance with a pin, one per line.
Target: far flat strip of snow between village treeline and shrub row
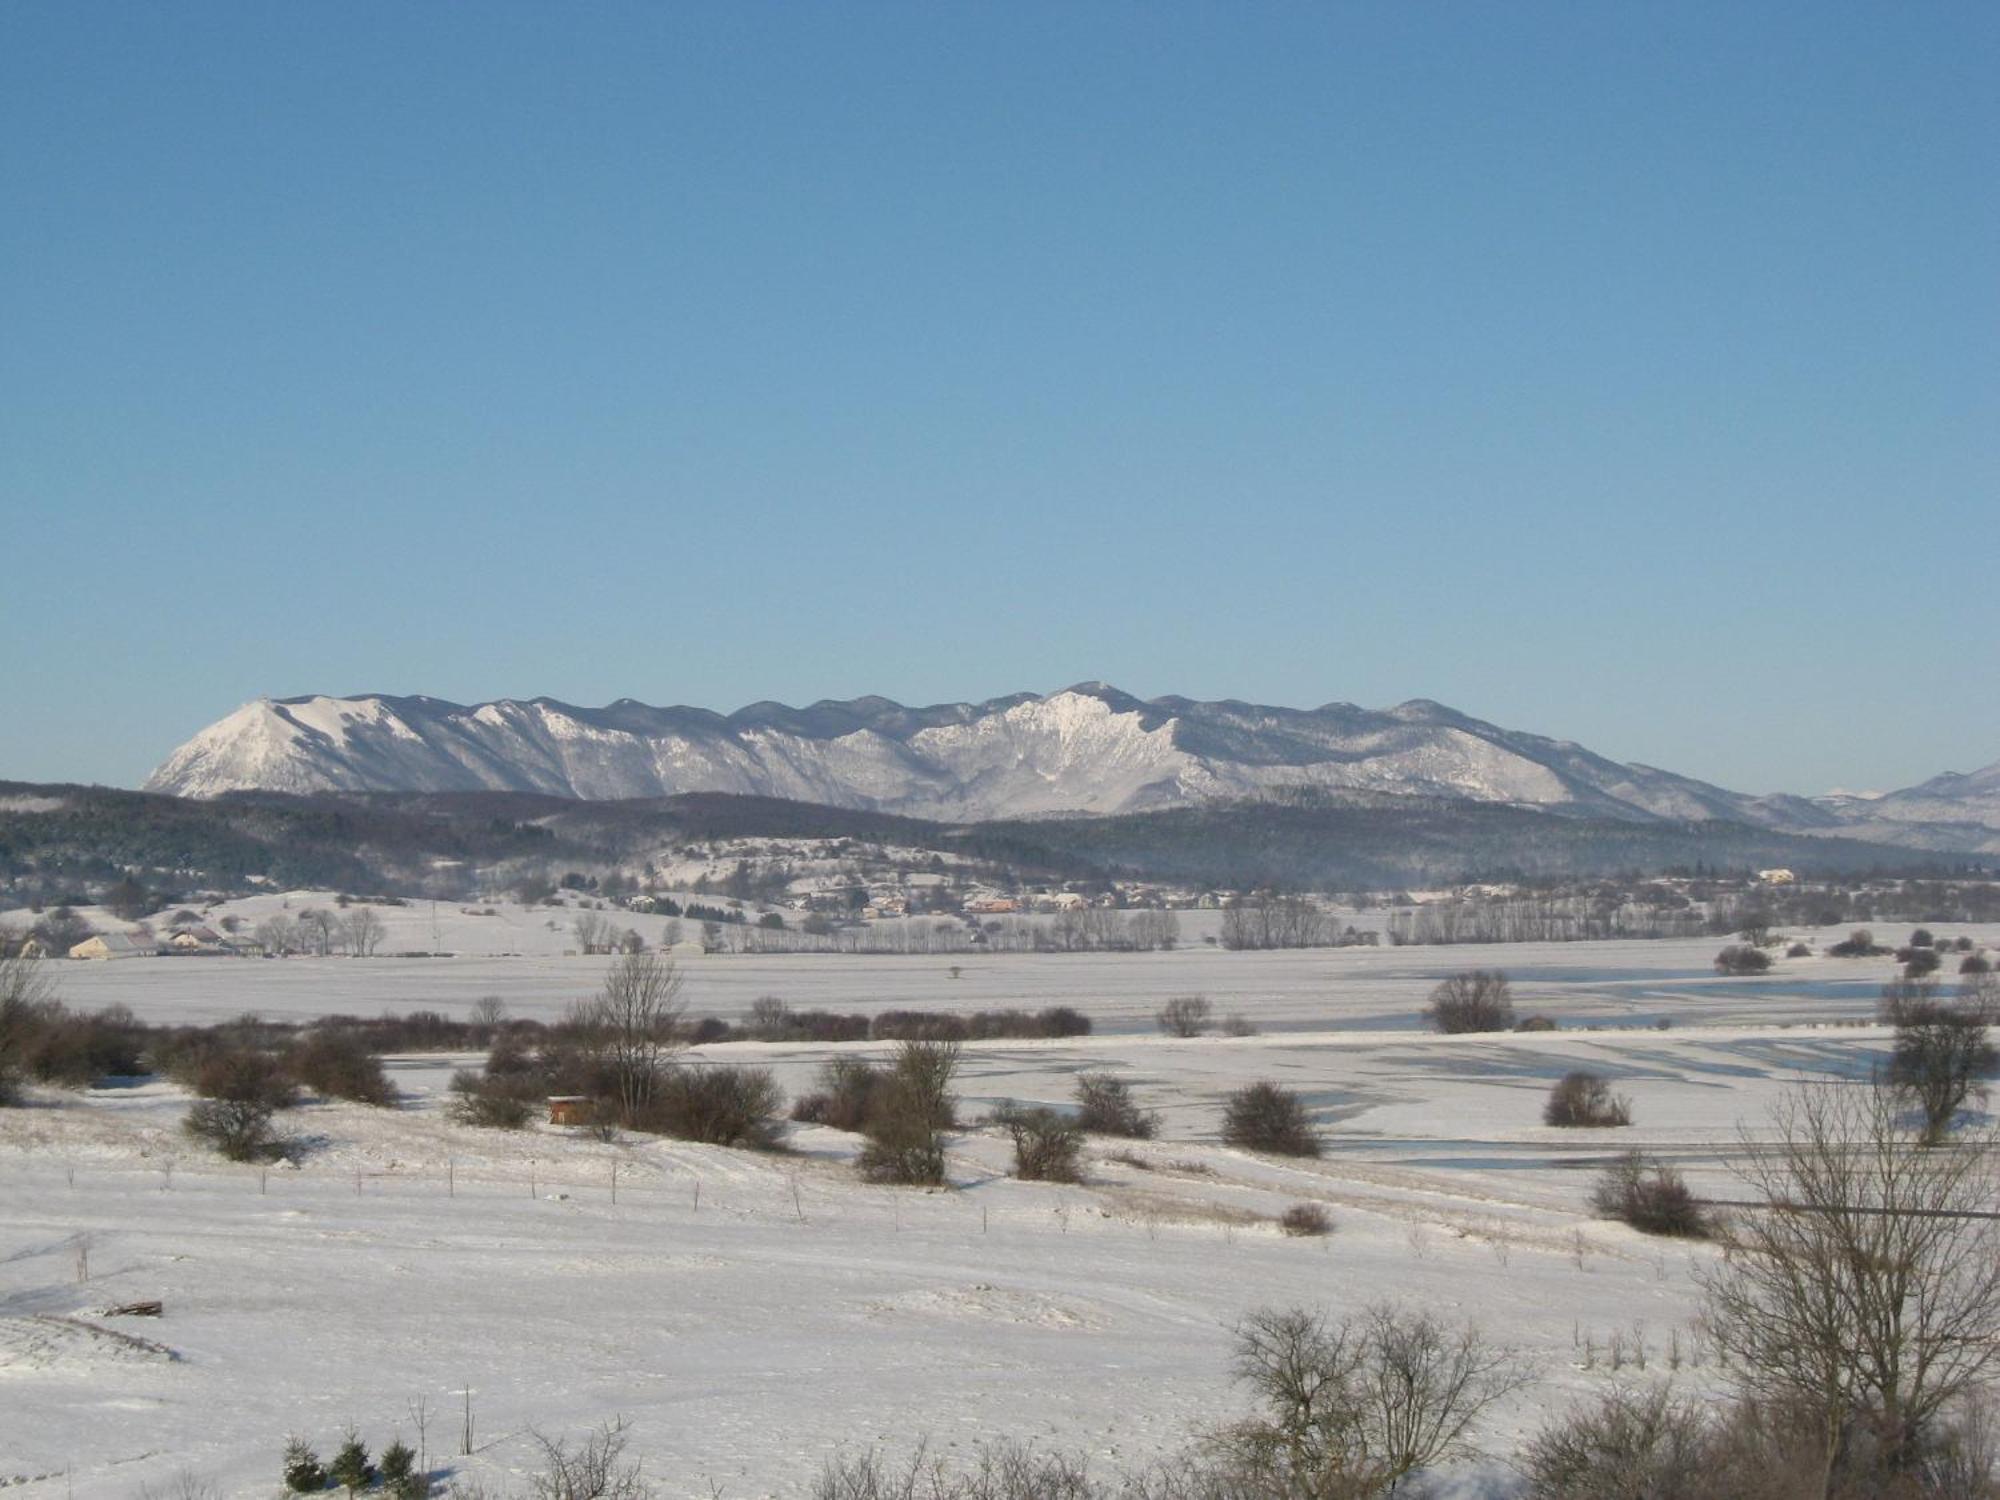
(1577, 983)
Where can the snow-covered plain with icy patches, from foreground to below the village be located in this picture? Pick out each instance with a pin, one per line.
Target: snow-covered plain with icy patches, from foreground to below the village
(751, 1315)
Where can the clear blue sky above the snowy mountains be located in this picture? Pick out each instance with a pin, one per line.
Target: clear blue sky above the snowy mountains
(1611, 371)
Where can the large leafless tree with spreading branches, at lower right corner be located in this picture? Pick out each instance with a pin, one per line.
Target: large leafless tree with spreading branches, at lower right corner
(1867, 1291)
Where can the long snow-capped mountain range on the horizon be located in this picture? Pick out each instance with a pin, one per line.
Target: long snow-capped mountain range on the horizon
(1083, 751)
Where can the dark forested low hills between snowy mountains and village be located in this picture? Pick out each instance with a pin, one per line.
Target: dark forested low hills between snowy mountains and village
(73, 839)
